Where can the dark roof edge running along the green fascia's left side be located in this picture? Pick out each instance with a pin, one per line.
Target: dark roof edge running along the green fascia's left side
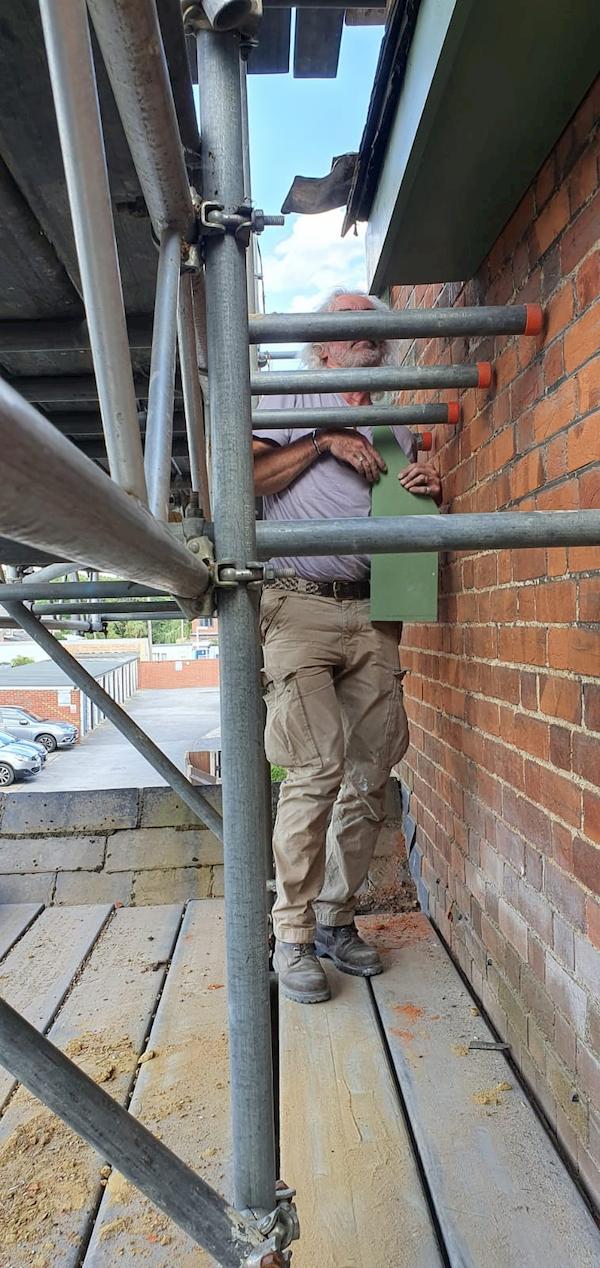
(388, 87)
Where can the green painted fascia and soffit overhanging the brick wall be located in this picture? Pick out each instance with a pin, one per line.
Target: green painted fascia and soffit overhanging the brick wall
(489, 89)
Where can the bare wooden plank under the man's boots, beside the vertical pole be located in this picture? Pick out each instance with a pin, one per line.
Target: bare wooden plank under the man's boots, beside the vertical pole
(344, 1142)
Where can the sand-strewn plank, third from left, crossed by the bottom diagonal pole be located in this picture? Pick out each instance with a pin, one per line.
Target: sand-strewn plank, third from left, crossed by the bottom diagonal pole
(50, 1180)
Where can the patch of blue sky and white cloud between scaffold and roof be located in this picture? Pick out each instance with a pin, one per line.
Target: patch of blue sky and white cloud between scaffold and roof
(296, 129)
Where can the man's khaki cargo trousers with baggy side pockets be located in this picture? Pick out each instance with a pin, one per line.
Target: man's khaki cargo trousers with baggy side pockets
(336, 720)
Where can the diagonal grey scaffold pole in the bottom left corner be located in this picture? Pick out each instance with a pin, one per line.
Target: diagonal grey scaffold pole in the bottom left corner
(125, 1142)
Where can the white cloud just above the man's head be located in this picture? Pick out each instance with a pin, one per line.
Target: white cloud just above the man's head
(311, 261)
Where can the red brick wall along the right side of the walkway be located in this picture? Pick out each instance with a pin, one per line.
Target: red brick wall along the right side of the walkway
(504, 694)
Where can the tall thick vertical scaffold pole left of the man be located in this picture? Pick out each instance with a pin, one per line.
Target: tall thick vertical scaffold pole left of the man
(235, 538)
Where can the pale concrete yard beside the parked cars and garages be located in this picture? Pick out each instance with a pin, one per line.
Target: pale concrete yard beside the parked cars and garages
(177, 721)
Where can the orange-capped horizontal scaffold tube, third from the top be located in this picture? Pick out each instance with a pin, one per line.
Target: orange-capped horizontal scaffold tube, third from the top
(358, 417)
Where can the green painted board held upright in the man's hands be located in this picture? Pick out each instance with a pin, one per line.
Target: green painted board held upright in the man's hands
(404, 588)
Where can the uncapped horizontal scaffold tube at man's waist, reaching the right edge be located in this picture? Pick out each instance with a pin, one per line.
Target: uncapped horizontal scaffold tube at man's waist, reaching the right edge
(413, 533)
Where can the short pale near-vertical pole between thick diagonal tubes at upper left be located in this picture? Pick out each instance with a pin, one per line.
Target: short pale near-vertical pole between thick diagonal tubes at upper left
(159, 422)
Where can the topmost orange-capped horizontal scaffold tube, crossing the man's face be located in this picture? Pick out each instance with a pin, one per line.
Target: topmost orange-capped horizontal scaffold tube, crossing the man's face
(404, 324)
